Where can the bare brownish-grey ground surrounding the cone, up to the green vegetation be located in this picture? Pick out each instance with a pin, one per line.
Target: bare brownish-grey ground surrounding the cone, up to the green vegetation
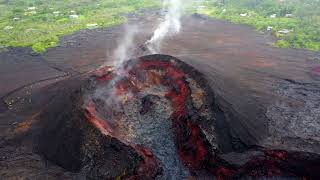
(271, 96)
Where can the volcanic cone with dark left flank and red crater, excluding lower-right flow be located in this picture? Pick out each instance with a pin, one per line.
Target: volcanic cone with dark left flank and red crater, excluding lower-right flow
(153, 114)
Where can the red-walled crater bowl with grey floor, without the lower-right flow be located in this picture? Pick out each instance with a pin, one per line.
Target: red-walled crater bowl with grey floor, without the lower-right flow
(157, 102)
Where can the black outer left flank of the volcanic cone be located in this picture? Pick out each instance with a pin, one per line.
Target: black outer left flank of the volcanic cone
(70, 141)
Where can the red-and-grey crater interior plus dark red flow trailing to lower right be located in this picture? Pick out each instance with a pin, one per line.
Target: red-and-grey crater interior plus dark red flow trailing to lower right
(164, 109)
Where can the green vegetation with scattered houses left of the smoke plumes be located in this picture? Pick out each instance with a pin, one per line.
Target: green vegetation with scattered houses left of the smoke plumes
(40, 23)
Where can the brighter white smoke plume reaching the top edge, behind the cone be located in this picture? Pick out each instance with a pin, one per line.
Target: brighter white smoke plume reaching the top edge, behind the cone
(170, 26)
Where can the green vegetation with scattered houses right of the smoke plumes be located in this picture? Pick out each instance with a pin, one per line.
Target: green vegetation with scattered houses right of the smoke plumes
(303, 21)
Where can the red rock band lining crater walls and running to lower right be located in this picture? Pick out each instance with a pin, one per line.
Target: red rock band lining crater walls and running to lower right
(193, 148)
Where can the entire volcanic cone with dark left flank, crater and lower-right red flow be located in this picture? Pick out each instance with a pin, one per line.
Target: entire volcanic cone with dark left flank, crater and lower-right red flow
(155, 117)
